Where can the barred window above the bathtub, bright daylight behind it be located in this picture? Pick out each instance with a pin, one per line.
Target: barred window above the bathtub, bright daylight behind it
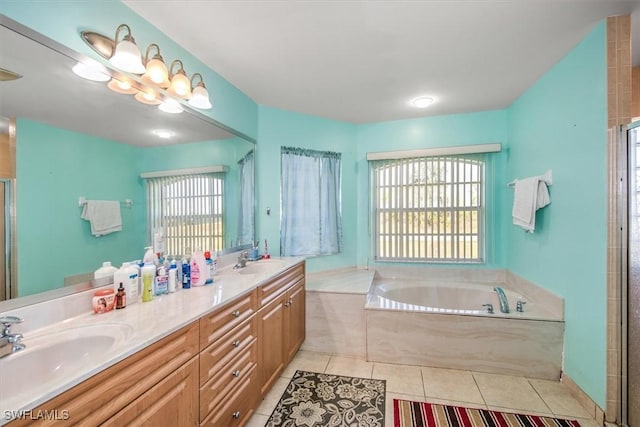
(428, 208)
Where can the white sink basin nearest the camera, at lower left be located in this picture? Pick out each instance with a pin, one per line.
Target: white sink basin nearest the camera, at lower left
(62, 353)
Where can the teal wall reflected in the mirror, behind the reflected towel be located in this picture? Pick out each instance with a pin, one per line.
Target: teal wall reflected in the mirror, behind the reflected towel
(54, 241)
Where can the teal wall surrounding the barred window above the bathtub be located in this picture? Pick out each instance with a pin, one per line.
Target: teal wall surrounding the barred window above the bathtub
(440, 131)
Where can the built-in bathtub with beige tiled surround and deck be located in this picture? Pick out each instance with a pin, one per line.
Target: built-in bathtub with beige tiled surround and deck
(345, 317)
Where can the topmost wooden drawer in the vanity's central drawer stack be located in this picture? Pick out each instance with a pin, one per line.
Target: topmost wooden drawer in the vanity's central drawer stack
(221, 321)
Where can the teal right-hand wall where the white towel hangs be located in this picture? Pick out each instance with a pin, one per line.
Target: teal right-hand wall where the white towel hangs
(560, 124)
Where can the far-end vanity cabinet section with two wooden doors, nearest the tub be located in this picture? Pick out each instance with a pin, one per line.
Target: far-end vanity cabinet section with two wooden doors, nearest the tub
(281, 323)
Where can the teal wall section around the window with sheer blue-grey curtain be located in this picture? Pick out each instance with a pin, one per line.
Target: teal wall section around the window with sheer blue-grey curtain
(279, 128)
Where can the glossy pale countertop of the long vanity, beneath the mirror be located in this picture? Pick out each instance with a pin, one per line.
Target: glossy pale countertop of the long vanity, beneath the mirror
(143, 324)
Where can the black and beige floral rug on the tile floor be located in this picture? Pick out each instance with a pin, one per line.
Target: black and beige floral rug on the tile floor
(323, 400)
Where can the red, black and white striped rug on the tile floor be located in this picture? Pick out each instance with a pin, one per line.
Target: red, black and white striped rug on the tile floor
(423, 414)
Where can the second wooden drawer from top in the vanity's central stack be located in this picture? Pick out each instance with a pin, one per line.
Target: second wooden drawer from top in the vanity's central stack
(218, 354)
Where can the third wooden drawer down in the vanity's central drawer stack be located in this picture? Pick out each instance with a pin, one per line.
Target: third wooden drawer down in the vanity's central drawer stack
(223, 383)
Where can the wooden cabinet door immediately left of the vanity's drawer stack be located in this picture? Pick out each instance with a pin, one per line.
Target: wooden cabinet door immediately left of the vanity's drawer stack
(172, 402)
